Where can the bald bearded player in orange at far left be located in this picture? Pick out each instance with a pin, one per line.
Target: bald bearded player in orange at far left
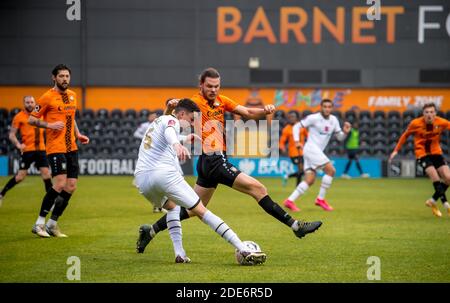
(32, 147)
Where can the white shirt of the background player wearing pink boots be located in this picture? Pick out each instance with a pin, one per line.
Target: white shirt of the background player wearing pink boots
(320, 130)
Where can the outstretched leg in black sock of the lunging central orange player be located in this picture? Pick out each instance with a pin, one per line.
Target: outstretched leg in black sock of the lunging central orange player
(249, 185)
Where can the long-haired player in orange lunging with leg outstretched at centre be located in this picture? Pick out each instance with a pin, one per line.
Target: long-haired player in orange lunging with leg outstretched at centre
(213, 167)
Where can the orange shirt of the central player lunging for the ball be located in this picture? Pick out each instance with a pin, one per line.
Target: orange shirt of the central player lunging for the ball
(213, 121)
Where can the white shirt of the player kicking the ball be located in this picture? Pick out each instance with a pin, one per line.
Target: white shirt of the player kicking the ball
(155, 152)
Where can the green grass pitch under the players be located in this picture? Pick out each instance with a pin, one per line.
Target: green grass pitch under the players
(384, 218)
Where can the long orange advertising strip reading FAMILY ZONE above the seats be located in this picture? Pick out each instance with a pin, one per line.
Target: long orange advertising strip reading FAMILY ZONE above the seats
(286, 99)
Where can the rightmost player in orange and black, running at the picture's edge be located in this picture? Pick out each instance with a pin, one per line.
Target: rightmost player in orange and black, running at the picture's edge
(427, 132)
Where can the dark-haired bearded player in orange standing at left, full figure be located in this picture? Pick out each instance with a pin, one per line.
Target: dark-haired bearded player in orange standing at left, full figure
(58, 107)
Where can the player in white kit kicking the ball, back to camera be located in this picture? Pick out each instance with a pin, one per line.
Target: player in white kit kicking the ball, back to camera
(159, 178)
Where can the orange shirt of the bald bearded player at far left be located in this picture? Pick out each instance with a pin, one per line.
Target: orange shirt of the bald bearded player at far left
(31, 136)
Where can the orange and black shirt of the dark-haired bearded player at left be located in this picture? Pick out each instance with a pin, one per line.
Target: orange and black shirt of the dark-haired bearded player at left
(54, 106)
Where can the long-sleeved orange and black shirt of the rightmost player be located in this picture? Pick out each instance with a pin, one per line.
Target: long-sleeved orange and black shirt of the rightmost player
(426, 136)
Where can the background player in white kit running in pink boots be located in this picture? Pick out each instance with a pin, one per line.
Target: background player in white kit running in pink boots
(321, 127)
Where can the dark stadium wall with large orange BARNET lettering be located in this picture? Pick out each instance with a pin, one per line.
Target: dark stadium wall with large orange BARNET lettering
(165, 42)
